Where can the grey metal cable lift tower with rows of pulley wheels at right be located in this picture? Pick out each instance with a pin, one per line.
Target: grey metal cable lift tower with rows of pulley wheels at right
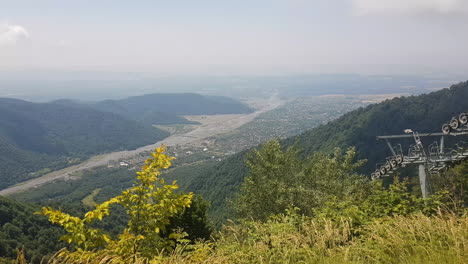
(433, 159)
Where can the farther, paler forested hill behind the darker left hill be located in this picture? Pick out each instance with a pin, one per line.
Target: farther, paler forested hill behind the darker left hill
(166, 109)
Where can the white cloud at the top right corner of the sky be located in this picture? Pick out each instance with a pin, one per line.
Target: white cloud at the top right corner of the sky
(365, 7)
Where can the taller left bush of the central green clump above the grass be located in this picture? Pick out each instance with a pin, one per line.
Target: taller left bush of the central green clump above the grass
(270, 186)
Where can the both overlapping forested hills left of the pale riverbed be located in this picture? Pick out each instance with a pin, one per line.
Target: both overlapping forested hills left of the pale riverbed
(36, 136)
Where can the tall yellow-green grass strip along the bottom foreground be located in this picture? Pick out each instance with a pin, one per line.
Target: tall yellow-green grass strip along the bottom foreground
(294, 239)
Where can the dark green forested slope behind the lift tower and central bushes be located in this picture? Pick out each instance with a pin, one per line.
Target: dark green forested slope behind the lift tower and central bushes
(359, 128)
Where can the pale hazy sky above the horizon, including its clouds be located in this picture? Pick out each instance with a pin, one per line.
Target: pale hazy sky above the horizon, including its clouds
(235, 36)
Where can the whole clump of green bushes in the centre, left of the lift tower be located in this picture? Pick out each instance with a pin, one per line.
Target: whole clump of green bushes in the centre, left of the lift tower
(279, 179)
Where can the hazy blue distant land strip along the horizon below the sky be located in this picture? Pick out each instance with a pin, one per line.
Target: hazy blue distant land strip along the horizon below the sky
(94, 86)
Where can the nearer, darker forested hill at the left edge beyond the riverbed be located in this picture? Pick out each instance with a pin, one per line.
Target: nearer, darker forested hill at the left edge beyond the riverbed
(36, 136)
